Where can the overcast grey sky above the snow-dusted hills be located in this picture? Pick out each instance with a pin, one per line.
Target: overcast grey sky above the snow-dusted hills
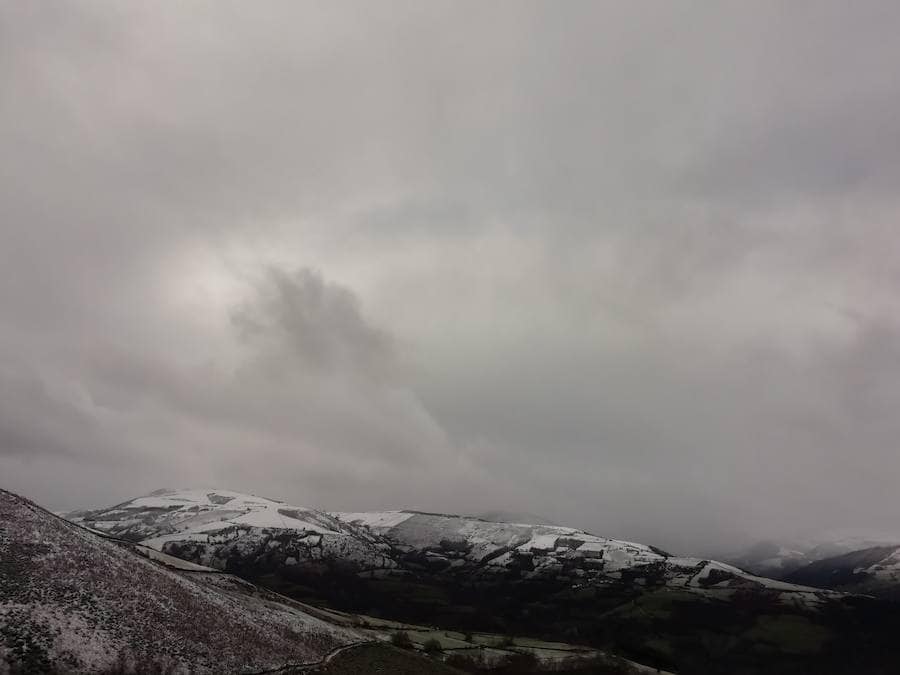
(632, 266)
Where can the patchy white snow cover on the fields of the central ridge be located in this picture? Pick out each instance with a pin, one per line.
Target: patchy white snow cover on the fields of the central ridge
(218, 519)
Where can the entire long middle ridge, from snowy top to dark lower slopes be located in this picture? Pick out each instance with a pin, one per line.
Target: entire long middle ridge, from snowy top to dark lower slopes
(683, 614)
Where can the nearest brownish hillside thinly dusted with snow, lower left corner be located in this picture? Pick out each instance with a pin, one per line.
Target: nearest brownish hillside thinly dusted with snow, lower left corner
(71, 600)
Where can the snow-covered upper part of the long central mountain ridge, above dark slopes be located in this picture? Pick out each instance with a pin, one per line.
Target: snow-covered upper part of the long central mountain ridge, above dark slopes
(243, 533)
